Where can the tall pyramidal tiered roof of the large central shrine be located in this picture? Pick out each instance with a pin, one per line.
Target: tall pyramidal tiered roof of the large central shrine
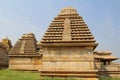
(68, 26)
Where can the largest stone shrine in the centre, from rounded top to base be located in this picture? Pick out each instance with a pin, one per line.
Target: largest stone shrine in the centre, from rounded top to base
(68, 46)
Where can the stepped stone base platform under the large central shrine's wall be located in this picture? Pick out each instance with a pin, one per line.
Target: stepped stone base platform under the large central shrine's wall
(83, 74)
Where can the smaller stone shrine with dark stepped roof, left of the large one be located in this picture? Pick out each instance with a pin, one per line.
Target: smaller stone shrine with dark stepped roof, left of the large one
(23, 55)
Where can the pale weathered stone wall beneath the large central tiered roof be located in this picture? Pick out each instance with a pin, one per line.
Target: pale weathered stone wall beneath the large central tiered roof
(73, 58)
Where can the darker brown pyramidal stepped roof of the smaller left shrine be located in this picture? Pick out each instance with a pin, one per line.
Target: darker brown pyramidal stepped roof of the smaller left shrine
(25, 45)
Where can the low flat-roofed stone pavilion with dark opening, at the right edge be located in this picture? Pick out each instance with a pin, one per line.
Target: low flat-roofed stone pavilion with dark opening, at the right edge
(104, 63)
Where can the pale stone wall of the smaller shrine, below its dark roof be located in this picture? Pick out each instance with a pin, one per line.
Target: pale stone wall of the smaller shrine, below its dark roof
(25, 63)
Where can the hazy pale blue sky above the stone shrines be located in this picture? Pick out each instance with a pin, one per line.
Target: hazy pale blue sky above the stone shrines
(18, 17)
